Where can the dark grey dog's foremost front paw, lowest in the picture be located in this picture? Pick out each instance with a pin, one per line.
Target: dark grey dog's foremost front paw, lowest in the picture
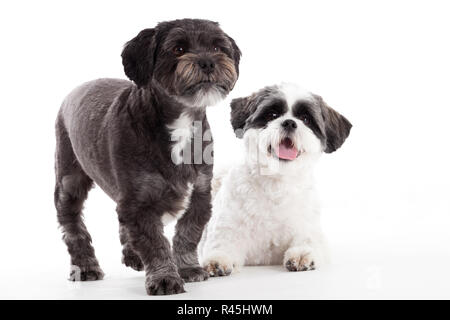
(164, 284)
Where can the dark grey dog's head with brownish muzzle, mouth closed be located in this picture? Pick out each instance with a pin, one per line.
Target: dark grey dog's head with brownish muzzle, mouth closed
(194, 60)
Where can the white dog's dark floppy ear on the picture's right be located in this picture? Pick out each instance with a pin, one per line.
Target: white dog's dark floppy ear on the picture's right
(337, 127)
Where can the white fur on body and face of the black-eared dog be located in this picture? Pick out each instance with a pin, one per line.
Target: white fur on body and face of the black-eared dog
(266, 211)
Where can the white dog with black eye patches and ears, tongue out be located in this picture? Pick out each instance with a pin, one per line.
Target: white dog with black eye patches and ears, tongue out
(265, 210)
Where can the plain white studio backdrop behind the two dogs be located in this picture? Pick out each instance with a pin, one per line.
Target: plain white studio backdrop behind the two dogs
(383, 64)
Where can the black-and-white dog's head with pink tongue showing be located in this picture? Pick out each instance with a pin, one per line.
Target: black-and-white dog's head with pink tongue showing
(285, 124)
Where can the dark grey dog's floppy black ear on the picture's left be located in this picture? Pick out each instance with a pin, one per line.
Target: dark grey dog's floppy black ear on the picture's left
(138, 57)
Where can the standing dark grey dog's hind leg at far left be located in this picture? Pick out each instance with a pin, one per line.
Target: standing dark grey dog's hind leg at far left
(71, 190)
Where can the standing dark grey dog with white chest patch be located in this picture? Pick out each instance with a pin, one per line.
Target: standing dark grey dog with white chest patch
(128, 138)
